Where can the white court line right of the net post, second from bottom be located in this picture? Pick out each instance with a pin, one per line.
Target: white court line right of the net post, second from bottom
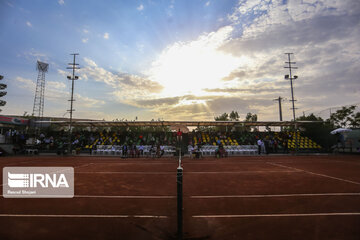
(279, 195)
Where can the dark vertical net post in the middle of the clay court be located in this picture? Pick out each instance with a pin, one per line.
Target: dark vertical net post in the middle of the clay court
(179, 181)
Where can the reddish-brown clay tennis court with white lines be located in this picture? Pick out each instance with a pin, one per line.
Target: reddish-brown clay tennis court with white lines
(258, 197)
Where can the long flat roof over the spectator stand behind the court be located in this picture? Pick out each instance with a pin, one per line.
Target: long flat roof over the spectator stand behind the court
(96, 123)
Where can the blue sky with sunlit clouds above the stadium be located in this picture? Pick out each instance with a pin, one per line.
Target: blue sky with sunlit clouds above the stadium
(181, 59)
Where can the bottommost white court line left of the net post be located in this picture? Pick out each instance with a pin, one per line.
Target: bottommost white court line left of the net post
(82, 216)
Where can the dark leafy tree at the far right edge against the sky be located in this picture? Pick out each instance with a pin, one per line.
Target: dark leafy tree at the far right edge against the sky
(345, 117)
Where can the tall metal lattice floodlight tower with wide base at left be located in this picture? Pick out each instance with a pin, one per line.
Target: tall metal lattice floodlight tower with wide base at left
(38, 109)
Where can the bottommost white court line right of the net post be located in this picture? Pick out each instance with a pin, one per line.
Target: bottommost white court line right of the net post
(278, 215)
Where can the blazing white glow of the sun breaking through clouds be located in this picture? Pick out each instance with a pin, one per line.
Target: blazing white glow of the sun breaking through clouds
(189, 68)
